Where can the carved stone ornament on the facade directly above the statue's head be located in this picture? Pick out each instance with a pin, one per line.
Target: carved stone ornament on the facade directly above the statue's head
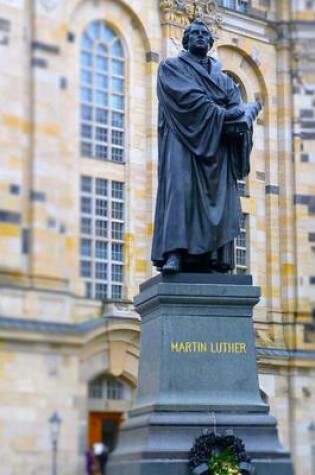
(181, 12)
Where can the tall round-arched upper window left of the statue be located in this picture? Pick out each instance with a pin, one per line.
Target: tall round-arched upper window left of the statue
(102, 94)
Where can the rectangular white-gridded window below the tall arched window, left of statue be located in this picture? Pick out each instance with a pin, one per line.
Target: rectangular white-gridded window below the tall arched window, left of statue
(103, 247)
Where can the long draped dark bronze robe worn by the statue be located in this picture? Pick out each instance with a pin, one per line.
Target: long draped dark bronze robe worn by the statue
(198, 206)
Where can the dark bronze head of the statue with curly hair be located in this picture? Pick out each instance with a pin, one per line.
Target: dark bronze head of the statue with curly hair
(197, 37)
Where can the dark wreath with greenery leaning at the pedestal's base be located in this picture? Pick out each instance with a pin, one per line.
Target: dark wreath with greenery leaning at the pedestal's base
(219, 454)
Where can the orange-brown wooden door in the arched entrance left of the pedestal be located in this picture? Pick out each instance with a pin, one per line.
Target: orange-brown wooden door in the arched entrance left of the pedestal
(104, 427)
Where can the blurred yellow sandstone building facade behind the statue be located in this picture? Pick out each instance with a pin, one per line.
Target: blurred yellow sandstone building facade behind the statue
(78, 116)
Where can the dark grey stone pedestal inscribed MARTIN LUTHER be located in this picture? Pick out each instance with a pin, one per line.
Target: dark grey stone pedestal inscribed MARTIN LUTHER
(197, 372)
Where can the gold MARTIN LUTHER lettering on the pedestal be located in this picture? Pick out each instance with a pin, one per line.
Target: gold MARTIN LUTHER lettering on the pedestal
(208, 347)
